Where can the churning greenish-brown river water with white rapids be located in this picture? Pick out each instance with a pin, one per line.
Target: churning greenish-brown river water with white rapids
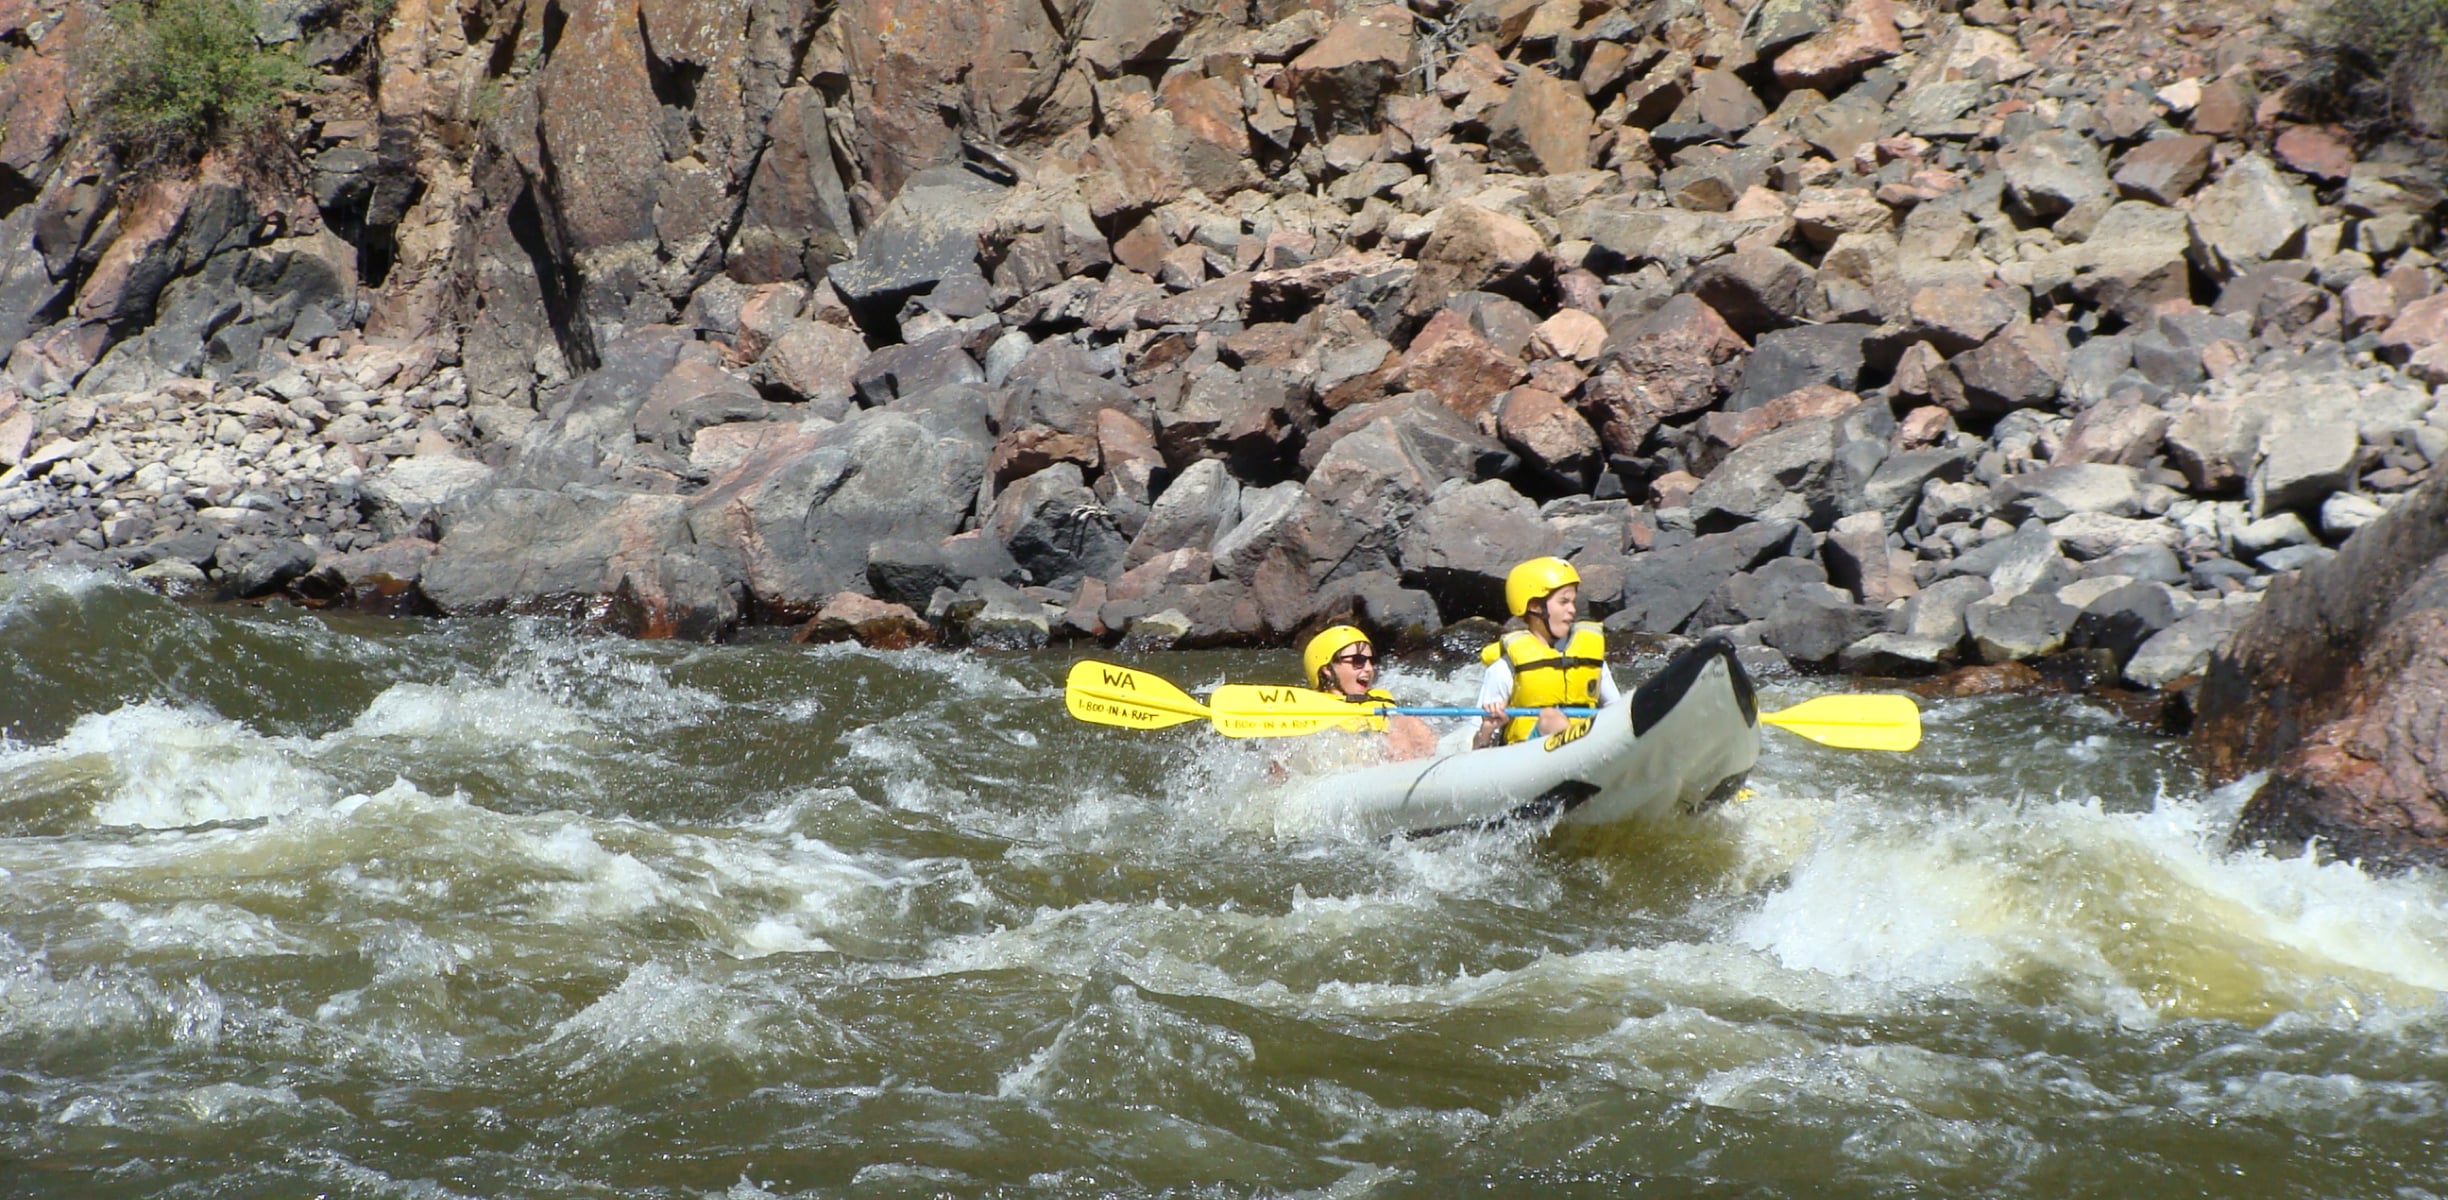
(307, 905)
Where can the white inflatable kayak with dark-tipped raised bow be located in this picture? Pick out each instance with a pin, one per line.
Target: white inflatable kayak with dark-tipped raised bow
(1676, 746)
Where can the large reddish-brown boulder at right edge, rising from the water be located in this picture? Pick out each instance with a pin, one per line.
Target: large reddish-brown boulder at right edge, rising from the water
(2339, 689)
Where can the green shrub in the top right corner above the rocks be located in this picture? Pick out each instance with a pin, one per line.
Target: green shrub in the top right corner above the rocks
(2381, 60)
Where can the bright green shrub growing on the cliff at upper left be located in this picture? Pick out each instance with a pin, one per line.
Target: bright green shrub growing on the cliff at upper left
(187, 75)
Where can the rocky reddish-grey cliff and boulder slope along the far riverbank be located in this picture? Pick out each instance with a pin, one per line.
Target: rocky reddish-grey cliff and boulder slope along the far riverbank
(1884, 337)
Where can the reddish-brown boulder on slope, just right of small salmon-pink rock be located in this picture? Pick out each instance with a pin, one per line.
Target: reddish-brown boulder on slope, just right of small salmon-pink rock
(1678, 361)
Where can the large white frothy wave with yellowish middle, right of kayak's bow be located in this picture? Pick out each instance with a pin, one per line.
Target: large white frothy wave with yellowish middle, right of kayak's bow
(2116, 912)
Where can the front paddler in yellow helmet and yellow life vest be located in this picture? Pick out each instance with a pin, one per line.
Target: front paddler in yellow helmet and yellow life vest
(1551, 665)
